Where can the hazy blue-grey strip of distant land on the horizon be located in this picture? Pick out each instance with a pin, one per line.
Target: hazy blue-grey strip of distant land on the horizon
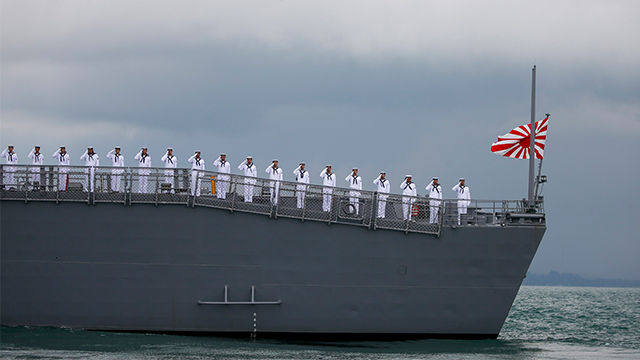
(555, 278)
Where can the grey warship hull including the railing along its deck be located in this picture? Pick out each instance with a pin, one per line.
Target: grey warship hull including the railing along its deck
(165, 261)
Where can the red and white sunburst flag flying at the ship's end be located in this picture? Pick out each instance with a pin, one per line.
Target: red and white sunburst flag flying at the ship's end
(516, 143)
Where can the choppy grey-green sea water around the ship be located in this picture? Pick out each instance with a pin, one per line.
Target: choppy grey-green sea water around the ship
(544, 323)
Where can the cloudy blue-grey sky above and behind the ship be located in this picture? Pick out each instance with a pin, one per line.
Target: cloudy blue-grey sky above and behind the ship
(420, 87)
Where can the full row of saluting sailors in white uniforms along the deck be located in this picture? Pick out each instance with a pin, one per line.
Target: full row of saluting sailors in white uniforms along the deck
(92, 160)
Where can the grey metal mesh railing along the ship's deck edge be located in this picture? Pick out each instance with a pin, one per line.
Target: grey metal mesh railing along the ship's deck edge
(261, 196)
